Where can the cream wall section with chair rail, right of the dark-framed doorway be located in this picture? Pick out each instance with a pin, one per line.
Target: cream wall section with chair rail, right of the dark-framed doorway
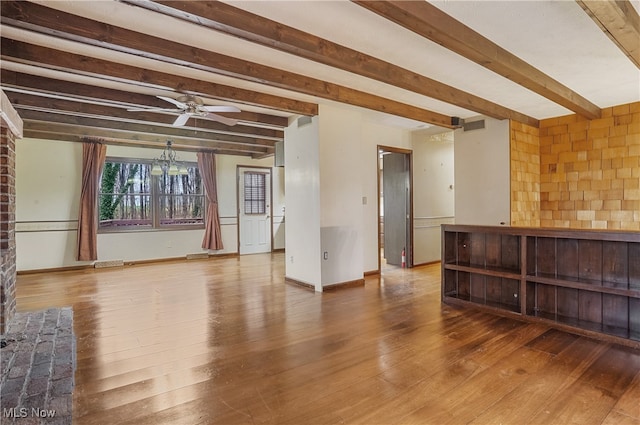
(433, 186)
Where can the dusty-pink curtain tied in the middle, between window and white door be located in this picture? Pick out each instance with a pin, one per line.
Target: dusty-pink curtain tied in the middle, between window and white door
(207, 166)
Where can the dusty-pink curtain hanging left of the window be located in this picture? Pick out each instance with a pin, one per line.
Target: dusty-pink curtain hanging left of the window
(93, 156)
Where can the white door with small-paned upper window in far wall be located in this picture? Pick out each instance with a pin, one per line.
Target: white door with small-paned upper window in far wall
(254, 210)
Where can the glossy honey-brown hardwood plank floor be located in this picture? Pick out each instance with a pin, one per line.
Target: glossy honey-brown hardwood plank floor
(225, 341)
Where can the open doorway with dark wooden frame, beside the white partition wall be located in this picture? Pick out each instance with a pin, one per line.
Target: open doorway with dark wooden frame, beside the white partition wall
(395, 226)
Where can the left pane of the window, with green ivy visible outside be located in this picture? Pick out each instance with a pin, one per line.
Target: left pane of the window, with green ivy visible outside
(125, 198)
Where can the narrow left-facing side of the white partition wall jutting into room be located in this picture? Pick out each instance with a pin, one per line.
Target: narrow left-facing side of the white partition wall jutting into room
(302, 188)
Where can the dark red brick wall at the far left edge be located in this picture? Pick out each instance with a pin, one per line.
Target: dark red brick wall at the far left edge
(7, 228)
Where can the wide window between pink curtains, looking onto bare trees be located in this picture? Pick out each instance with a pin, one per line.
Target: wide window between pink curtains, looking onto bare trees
(131, 198)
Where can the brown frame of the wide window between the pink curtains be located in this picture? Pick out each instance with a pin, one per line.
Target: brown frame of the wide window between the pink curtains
(154, 195)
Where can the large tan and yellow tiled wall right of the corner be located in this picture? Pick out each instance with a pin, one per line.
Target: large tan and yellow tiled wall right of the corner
(590, 170)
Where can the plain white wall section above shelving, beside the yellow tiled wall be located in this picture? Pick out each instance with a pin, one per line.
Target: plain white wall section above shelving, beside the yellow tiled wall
(482, 176)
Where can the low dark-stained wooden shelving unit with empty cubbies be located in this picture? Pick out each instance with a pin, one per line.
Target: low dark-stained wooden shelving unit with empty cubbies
(586, 281)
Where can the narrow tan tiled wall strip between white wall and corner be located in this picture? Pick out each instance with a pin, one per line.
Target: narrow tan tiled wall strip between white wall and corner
(525, 175)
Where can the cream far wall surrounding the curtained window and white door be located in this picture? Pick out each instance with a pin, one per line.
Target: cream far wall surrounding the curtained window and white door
(47, 197)
